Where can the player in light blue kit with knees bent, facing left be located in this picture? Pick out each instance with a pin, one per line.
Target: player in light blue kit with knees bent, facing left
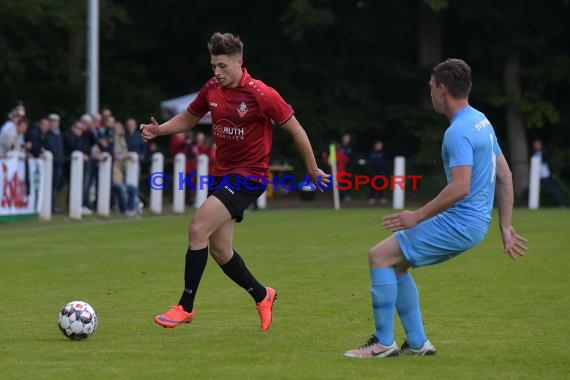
(454, 221)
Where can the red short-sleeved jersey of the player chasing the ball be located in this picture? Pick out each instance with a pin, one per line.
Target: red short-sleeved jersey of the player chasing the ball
(242, 124)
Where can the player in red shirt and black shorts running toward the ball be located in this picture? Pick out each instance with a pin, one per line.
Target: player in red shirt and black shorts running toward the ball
(243, 110)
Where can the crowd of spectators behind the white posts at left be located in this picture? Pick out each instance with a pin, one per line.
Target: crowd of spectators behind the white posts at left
(93, 135)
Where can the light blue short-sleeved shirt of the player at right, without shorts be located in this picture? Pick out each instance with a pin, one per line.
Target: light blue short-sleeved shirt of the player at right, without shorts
(470, 140)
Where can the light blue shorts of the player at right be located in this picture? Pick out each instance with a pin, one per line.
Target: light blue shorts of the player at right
(438, 239)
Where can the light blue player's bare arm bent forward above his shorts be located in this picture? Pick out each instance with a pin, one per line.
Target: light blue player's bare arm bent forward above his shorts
(454, 191)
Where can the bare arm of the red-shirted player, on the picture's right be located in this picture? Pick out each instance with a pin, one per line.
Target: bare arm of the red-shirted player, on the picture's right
(319, 178)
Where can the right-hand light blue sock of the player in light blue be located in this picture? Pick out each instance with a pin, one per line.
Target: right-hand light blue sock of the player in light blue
(408, 306)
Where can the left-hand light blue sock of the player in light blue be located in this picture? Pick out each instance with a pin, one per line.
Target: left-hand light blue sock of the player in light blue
(384, 292)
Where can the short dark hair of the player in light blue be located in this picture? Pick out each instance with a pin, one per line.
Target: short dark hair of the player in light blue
(455, 74)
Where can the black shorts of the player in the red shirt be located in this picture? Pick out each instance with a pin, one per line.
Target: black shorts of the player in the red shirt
(236, 193)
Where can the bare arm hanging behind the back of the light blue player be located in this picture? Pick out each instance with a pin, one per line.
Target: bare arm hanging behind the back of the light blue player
(513, 244)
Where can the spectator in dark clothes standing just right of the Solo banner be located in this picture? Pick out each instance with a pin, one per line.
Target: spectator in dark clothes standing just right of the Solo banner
(54, 143)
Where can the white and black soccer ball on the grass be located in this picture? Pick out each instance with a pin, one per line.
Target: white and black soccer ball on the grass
(77, 320)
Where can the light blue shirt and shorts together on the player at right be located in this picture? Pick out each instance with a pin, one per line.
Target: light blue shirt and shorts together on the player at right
(469, 141)
